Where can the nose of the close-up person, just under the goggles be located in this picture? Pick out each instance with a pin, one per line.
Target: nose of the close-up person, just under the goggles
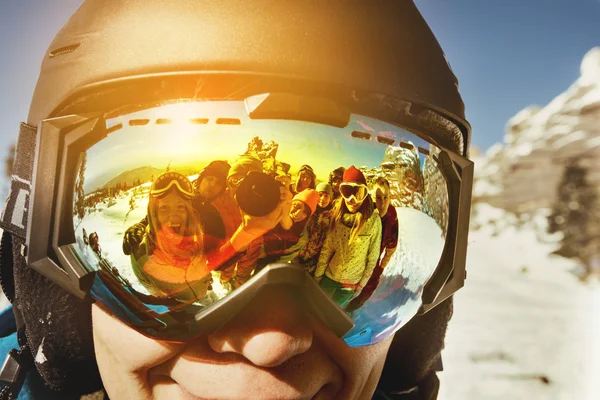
(272, 329)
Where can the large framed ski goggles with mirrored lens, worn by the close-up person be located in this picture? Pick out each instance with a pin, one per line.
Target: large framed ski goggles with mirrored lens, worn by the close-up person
(160, 265)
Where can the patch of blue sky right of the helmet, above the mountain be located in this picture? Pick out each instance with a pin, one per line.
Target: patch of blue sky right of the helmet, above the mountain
(509, 54)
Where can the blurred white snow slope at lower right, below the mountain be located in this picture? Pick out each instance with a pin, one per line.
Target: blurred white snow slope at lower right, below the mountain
(522, 317)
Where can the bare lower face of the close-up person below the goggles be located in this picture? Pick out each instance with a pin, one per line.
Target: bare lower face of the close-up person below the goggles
(272, 349)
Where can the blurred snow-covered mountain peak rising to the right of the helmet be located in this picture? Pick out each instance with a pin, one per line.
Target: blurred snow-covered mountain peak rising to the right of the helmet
(522, 174)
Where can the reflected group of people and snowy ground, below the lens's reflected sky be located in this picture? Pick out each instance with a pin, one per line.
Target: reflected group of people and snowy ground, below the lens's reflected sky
(163, 231)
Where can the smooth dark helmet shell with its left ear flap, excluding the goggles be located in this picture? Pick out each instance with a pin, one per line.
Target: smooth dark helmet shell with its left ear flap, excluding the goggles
(377, 57)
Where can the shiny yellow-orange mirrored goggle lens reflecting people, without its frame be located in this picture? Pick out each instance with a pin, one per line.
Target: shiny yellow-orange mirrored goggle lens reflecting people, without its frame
(156, 243)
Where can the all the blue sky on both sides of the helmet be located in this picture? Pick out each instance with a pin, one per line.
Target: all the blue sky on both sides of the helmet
(507, 54)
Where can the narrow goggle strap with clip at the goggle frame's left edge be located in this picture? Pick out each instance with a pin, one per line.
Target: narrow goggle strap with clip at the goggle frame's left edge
(16, 207)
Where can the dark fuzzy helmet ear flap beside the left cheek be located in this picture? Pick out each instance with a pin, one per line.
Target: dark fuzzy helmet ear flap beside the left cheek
(58, 326)
